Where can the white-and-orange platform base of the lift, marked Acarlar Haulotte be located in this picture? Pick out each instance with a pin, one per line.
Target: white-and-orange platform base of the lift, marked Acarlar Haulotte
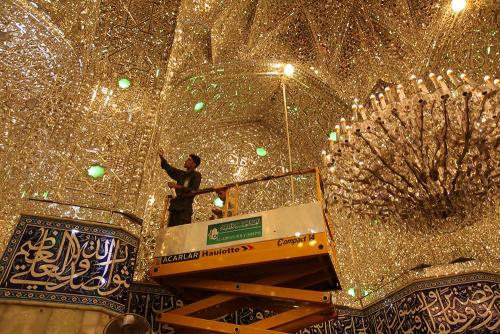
(261, 244)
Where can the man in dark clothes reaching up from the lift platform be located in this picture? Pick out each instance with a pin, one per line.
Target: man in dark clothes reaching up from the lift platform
(181, 207)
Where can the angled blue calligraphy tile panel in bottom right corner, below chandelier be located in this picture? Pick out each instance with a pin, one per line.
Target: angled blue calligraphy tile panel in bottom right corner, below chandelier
(461, 304)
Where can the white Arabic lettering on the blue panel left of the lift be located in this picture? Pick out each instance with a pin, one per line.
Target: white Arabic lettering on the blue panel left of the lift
(54, 265)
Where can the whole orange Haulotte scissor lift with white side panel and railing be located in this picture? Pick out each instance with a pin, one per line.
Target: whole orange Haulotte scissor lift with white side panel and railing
(280, 260)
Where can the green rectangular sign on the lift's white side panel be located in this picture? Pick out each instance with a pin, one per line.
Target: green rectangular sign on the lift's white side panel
(234, 230)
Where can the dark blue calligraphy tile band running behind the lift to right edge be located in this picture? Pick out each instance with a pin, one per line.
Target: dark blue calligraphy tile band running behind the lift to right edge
(461, 304)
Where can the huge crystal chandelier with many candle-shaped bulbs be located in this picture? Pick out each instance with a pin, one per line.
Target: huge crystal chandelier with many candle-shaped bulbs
(424, 157)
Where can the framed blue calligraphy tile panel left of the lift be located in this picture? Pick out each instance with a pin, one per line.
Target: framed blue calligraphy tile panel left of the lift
(61, 261)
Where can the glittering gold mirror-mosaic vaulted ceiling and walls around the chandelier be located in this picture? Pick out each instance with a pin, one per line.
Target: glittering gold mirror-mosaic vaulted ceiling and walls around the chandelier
(206, 77)
